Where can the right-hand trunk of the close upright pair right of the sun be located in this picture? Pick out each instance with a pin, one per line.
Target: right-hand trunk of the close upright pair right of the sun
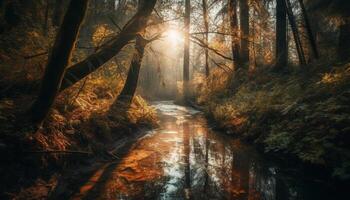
(244, 23)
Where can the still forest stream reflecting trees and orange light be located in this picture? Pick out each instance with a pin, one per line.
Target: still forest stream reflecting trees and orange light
(186, 159)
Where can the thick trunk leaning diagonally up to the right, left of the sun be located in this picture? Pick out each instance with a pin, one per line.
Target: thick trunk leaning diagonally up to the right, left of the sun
(96, 60)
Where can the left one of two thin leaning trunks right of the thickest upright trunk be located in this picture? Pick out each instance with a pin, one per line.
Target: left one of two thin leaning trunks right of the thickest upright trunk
(295, 31)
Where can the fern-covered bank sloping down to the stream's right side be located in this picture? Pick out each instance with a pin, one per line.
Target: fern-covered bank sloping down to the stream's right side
(305, 116)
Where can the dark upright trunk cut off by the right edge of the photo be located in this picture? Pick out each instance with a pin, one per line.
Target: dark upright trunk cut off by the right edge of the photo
(344, 40)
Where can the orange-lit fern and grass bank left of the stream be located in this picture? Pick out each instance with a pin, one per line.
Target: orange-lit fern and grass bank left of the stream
(90, 128)
